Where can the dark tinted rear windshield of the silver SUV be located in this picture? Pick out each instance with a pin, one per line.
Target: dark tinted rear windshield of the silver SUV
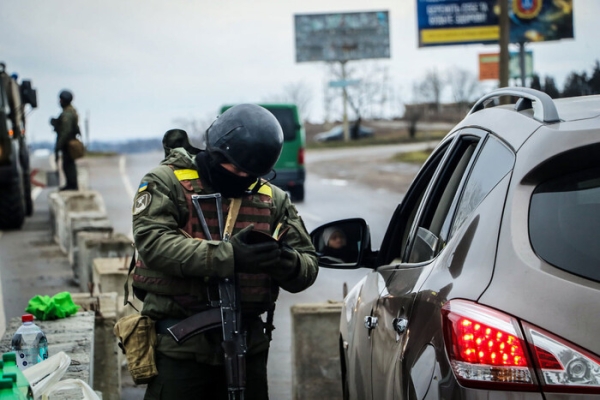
(564, 223)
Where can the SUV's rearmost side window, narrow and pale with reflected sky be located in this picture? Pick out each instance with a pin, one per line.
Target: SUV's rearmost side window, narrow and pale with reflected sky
(493, 163)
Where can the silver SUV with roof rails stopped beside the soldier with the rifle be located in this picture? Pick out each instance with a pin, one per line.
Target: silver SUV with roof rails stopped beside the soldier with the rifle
(487, 283)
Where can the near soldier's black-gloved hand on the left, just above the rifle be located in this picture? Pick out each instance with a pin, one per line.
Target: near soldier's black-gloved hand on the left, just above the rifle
(253, 258)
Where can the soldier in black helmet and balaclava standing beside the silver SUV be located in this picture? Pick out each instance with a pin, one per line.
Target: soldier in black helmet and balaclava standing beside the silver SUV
(178, 266)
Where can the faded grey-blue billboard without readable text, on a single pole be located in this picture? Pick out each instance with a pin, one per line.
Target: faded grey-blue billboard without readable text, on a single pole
(342, 36)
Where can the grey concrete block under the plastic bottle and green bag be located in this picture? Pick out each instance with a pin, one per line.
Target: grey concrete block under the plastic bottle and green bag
(73, 335)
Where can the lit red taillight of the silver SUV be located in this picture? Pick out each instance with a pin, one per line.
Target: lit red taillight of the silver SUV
(487, 349)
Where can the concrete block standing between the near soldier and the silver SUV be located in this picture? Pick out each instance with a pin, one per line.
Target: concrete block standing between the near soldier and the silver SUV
(315, 357)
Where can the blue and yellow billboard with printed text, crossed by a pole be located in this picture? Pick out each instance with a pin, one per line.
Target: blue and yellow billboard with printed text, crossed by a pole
(449, 22)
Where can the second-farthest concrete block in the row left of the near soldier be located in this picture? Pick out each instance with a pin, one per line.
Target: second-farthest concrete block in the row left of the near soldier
(88, 221)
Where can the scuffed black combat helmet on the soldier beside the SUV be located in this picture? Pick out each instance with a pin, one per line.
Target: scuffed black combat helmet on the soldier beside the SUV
(248, 136)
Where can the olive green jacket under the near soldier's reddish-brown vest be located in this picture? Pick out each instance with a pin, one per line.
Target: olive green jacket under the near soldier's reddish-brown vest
(159, 210)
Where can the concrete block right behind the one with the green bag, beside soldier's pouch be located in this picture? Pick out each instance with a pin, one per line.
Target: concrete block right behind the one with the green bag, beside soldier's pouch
(108, 357)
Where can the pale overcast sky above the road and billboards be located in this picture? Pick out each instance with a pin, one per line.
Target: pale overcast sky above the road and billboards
(137, 66)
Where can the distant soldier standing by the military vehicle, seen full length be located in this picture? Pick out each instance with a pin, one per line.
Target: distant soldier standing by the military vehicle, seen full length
(66, 127)
